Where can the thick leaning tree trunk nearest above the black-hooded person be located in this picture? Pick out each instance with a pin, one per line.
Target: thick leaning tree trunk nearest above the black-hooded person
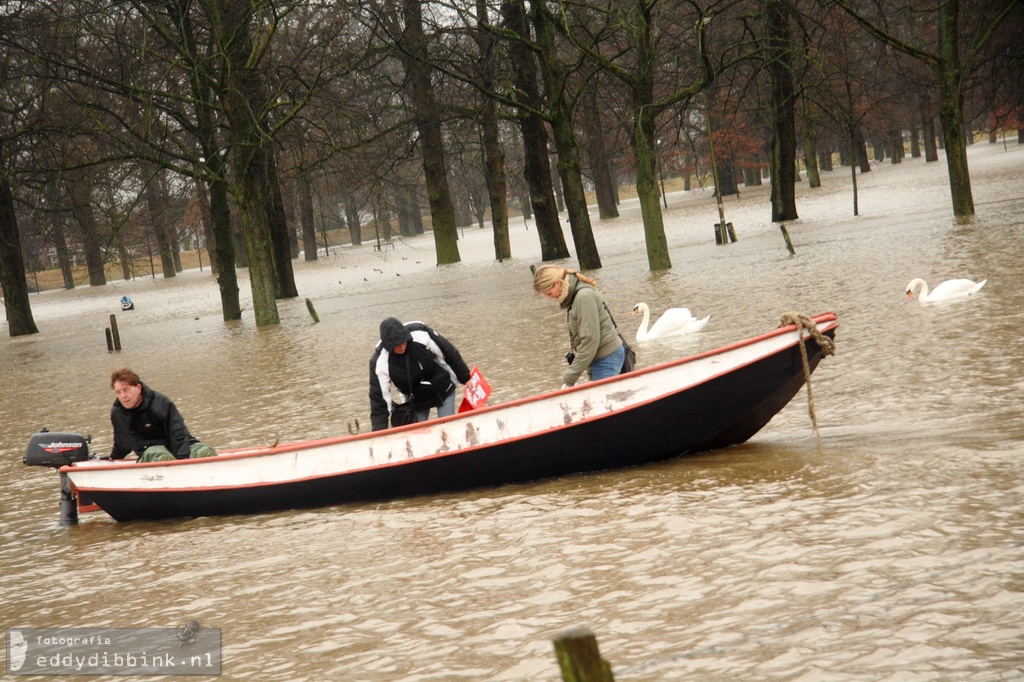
(432, 142)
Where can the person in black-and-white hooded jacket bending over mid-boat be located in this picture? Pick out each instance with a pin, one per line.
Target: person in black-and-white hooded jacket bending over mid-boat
(422, 365)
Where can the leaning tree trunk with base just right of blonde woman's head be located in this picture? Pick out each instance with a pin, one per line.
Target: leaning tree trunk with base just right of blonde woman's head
(568, 160)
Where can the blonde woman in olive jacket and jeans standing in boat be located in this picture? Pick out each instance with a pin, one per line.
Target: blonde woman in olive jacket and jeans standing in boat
(596, 347)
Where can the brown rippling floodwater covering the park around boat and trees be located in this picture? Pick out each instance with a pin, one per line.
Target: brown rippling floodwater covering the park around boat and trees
(890, 548)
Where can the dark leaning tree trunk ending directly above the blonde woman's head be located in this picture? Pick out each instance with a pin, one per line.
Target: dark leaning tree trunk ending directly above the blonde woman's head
(537, 169)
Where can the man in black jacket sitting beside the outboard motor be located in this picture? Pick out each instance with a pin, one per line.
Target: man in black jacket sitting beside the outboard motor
(149, 424)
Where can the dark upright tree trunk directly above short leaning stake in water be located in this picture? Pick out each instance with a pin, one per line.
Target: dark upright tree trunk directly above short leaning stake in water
(784, 151)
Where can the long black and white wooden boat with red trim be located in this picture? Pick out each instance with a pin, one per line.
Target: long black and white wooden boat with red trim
(714, 400)
